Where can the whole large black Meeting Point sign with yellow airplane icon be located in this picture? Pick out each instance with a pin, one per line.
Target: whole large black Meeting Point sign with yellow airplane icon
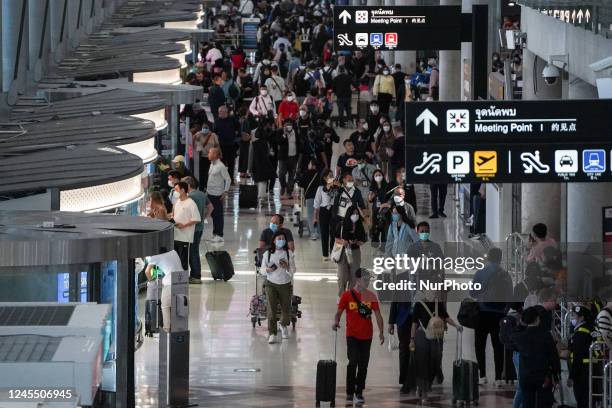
(509, 141)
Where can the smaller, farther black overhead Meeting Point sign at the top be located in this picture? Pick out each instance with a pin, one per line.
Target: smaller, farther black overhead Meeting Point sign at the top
(398, 27)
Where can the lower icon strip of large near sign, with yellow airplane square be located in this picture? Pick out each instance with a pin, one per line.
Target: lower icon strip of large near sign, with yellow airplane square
(504, 163)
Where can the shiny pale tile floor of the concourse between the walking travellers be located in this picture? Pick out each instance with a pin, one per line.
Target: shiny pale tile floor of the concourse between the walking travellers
(231, 363)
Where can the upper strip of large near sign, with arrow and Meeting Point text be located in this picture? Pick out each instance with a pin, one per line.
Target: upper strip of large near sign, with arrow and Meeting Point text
(509, 121)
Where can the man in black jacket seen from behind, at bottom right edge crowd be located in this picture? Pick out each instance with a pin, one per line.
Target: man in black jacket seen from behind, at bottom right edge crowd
(539, 364)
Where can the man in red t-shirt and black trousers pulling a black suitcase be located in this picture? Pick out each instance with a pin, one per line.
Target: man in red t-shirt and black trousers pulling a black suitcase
(359, 304)
